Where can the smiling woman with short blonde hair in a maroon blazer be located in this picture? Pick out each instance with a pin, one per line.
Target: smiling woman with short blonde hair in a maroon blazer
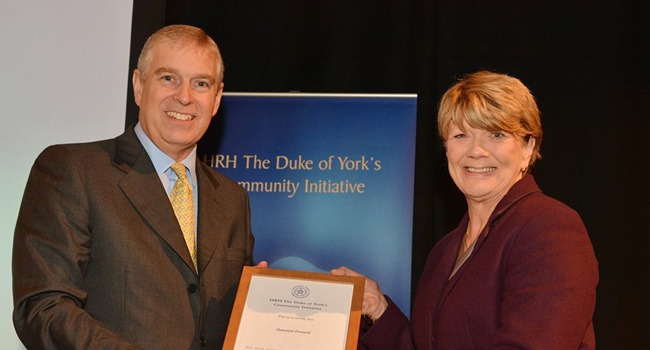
(519, 271)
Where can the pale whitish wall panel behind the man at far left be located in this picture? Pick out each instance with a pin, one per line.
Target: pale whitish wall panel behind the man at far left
(63, 78)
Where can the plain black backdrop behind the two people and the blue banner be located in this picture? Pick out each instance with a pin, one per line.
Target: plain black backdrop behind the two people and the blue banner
(586, 62)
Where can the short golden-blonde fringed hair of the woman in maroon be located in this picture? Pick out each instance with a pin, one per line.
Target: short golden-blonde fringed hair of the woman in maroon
(492, 102)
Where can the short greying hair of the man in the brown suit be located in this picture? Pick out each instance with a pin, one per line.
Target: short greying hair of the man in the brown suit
(180, 35)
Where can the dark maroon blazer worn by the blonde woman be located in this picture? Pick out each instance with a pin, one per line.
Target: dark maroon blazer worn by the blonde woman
(530, 283)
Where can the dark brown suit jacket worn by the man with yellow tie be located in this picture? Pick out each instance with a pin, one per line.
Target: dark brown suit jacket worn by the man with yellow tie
(99, 260)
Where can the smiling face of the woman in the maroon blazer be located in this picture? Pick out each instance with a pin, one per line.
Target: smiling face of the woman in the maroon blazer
(484, 165)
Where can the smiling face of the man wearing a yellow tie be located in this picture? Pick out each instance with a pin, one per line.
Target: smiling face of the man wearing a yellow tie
(178, 97)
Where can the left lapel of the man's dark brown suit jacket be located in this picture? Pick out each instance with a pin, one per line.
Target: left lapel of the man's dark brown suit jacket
(141, 184)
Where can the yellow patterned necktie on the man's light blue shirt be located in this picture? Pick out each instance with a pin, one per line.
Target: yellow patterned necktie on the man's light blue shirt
(181, 199)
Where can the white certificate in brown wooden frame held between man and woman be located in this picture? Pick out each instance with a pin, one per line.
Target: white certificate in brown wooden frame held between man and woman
(294, 310)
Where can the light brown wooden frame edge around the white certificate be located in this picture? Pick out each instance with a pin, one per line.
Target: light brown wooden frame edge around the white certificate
(244, 284)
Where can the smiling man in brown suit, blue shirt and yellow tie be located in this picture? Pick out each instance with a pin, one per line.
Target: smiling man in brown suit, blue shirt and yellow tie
(100, 259)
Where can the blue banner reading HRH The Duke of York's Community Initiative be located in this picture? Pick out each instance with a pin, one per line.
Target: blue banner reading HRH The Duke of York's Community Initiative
(330, 179)
